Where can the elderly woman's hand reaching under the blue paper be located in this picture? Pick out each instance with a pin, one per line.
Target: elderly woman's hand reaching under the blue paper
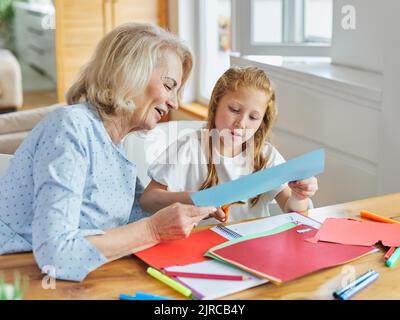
(177, 221)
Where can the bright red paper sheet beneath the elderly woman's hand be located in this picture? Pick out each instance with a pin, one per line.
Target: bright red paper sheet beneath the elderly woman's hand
(181, 252)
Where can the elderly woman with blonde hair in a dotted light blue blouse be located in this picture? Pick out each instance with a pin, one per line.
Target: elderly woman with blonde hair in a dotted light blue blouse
(70, 195)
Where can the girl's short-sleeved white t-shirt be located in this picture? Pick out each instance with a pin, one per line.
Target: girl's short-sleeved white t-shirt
(183, 167)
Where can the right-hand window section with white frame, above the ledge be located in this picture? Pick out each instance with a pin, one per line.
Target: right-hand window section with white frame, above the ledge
(283, 27)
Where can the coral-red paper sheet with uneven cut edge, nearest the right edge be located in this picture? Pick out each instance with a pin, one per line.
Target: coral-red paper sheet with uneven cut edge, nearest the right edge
(361, 233)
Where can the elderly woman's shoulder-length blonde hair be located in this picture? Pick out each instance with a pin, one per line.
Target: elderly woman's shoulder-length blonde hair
(122, 65)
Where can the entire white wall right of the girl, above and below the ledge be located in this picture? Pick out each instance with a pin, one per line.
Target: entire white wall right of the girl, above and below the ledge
(361, 135)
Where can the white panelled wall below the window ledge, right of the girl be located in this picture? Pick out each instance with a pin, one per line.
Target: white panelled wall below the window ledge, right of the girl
(313, 115)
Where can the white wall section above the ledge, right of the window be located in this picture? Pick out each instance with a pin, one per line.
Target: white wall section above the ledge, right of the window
(363, 47)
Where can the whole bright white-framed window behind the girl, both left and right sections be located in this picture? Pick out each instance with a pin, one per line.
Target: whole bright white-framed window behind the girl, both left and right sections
(264, 27)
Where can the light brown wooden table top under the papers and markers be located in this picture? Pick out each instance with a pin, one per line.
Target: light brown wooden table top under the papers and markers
(128, 275)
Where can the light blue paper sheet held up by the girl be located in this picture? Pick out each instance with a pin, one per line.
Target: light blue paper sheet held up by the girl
(303, 167)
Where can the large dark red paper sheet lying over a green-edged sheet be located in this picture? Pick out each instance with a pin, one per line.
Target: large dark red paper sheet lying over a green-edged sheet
(286, 256)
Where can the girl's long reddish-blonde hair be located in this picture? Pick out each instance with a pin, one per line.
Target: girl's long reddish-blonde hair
(232, 80)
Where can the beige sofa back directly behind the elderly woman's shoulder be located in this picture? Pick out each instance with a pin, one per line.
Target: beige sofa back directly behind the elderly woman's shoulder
(15, 126)
